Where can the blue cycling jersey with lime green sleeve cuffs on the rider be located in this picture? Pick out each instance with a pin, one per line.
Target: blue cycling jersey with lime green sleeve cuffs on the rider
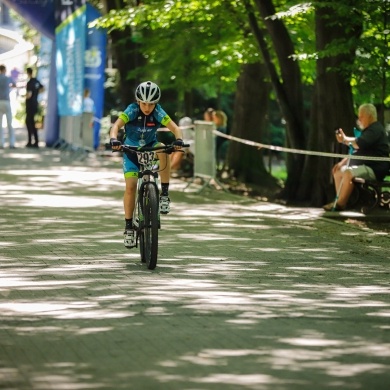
(142, 129)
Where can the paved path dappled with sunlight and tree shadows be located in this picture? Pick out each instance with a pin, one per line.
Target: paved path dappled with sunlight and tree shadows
(246, 295)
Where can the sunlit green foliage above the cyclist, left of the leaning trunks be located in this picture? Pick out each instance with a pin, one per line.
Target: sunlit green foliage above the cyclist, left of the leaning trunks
(189, 43)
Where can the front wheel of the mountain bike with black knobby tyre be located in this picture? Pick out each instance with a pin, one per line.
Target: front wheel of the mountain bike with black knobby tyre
(150, 232)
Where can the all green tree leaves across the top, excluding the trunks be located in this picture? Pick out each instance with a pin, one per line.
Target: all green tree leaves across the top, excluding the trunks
(201, 44)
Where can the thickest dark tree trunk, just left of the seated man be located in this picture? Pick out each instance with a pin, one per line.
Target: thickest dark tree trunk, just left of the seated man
(332, 106)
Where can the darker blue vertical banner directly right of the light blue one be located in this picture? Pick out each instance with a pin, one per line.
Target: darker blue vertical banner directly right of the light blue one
(95, 62)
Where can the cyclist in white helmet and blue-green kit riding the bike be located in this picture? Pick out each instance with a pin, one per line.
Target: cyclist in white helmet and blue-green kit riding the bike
(141, 121)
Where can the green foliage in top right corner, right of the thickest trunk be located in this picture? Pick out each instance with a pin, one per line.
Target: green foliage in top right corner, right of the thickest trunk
(370, 73)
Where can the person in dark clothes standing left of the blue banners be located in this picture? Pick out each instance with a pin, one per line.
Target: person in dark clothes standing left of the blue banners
(33, 89)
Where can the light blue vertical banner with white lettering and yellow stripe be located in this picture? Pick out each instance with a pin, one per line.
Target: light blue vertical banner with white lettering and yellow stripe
(70, 32)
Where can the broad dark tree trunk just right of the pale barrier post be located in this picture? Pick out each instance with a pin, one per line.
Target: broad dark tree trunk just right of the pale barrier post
(250, 112)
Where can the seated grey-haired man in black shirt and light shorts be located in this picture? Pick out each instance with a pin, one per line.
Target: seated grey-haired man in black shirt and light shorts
(372, 142)
